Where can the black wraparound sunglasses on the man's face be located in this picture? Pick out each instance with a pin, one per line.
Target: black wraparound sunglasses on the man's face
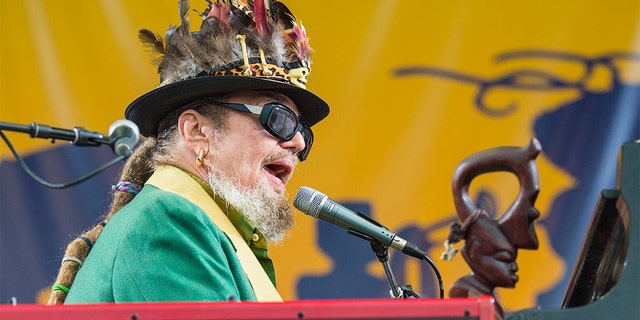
(279, 121)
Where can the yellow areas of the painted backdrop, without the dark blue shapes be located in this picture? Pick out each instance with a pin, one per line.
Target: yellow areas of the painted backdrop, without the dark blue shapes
(391, 140)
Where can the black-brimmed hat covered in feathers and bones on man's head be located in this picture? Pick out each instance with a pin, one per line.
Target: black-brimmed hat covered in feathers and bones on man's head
(241, 45)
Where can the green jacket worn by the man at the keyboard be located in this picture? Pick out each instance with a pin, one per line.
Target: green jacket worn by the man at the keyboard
(161, 247)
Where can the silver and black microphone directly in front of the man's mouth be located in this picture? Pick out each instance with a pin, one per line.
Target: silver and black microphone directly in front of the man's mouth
(319, 206)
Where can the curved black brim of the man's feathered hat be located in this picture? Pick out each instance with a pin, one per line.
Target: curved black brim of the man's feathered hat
(149, 109)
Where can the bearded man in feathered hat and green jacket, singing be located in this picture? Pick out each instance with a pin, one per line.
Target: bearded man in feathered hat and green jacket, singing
(224, 130)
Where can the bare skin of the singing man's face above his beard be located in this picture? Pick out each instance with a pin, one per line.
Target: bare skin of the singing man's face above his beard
(250, 155)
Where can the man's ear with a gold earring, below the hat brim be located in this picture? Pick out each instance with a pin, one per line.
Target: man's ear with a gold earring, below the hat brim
(195, 130)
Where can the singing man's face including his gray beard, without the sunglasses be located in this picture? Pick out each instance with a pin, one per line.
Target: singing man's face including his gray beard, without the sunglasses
(250, 167)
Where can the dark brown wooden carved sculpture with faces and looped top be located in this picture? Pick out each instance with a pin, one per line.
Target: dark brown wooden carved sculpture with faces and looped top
(491, 246)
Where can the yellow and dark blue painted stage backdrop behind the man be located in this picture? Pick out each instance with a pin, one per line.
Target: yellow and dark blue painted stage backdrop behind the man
(414, 87)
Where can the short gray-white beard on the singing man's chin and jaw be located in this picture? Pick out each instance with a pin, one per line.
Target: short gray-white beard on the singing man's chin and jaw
(269, 212)
